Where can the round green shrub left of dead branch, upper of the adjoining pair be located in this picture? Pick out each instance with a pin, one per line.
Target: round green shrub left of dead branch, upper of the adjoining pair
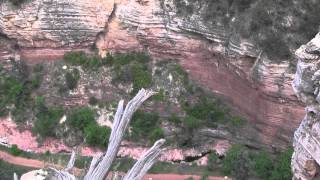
(80, 118)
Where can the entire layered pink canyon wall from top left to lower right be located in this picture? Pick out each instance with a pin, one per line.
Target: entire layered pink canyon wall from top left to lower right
(229, 66)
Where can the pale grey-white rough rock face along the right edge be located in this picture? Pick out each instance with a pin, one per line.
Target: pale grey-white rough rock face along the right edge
(306, 157)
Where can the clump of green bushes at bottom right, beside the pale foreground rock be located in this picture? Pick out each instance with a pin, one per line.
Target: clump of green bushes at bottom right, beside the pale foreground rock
(242, 163)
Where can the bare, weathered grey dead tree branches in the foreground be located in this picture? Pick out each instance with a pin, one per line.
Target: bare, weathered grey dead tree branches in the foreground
(101, 164)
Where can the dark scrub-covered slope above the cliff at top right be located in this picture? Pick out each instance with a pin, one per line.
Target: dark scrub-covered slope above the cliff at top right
(276, 26)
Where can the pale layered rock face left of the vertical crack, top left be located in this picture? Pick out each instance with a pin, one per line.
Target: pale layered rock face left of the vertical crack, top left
(55, 23)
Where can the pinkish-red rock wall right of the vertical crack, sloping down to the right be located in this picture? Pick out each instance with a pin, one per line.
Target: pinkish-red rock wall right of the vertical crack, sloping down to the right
(269, 103)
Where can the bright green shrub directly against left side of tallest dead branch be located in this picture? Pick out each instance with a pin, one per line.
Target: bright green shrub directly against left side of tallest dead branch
(96, 135)
